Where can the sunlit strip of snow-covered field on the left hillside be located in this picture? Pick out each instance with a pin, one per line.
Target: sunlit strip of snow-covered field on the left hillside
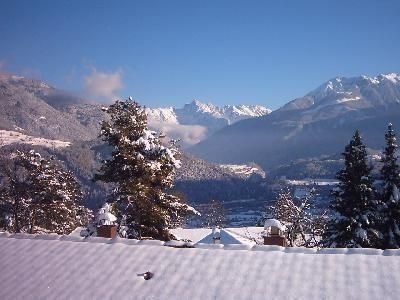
(8, 137)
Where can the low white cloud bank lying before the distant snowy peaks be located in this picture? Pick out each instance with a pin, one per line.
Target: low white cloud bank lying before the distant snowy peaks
(188, 134)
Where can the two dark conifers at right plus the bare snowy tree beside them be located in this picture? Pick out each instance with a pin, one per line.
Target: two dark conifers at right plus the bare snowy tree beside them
(365, 212)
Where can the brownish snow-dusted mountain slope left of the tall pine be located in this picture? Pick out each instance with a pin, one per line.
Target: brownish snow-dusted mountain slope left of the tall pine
(37, 109)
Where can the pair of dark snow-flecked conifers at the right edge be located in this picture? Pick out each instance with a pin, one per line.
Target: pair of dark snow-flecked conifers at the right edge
(365, 215)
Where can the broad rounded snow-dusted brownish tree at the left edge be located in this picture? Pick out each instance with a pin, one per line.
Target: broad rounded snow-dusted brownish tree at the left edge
(47, 199)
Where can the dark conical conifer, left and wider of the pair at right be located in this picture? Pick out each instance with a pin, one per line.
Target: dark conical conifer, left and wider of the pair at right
(356, 220)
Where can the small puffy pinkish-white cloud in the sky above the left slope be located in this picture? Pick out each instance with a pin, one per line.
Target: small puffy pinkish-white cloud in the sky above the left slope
(103, 85)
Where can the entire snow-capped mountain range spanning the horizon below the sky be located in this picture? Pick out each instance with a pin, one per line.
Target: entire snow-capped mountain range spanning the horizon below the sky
(317, 124)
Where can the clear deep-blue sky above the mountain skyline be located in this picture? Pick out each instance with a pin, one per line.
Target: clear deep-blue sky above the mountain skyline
(166, 53)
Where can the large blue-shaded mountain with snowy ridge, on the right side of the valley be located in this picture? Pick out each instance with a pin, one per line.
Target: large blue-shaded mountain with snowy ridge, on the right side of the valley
(321, 122)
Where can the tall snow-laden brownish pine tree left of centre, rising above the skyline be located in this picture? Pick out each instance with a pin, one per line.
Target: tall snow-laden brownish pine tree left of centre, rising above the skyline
(142, 169)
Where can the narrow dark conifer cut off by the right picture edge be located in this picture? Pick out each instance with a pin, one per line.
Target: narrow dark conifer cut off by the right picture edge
(390, 174)
